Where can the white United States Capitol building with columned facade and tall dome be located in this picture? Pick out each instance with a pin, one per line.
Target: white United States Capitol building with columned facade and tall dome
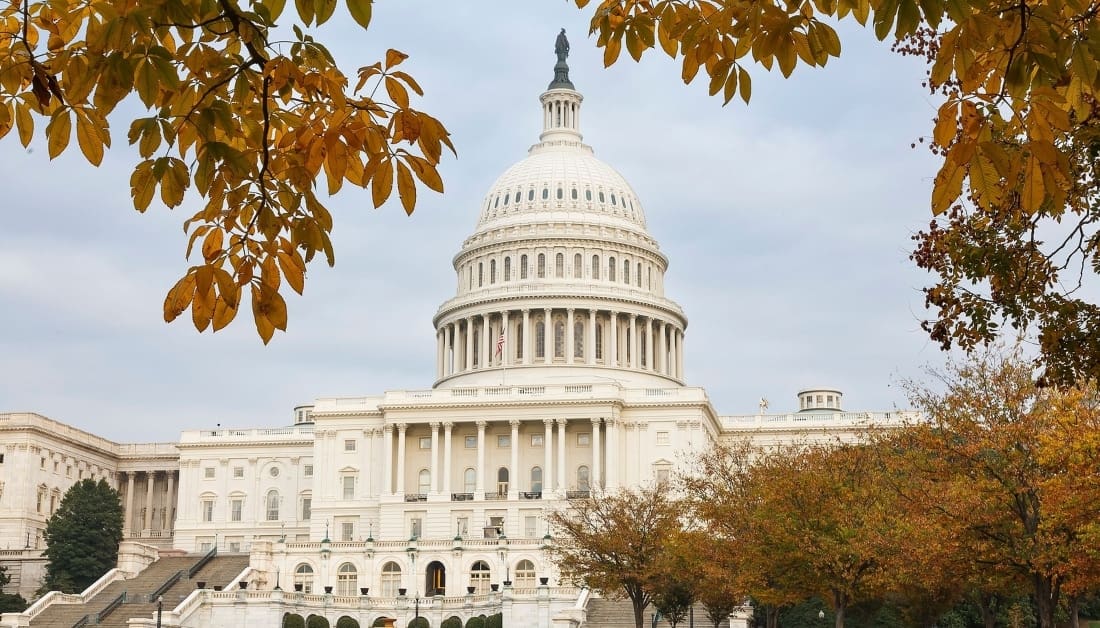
(559, 376)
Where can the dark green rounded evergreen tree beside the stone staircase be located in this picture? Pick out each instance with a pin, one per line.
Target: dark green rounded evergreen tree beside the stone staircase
(83, 537)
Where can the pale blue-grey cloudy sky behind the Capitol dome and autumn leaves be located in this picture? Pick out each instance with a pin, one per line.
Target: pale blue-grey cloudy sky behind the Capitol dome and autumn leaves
(787, 224)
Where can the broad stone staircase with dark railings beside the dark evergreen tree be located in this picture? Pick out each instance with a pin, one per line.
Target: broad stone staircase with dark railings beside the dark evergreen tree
(218, 572)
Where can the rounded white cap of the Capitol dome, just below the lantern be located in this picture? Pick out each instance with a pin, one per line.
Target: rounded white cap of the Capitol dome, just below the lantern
(565, 182)
